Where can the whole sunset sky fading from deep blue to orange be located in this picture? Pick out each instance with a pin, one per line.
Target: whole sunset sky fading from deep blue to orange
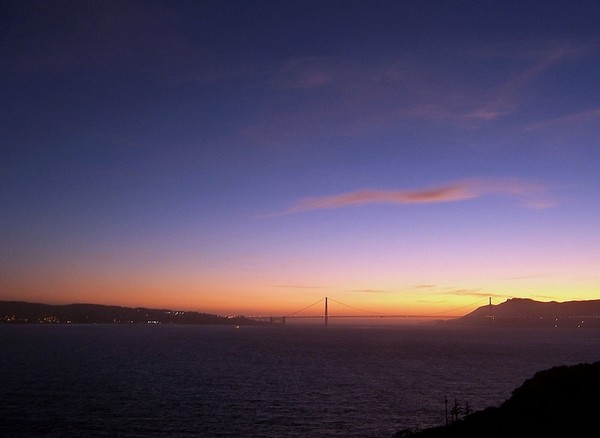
(255, 156)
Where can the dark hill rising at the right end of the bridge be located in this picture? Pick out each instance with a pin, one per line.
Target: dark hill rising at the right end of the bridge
(525, 312)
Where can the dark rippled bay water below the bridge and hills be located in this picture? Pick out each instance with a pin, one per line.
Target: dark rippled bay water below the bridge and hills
(204, 381)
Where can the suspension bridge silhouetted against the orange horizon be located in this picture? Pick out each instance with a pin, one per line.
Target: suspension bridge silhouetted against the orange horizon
(326, 316)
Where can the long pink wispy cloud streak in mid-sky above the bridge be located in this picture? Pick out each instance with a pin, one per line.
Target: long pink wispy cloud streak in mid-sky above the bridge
(529, 193)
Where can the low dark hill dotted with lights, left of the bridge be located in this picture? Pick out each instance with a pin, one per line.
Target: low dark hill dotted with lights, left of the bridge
(16, 312)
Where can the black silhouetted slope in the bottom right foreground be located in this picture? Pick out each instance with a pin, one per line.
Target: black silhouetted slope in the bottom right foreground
(563, 401)
